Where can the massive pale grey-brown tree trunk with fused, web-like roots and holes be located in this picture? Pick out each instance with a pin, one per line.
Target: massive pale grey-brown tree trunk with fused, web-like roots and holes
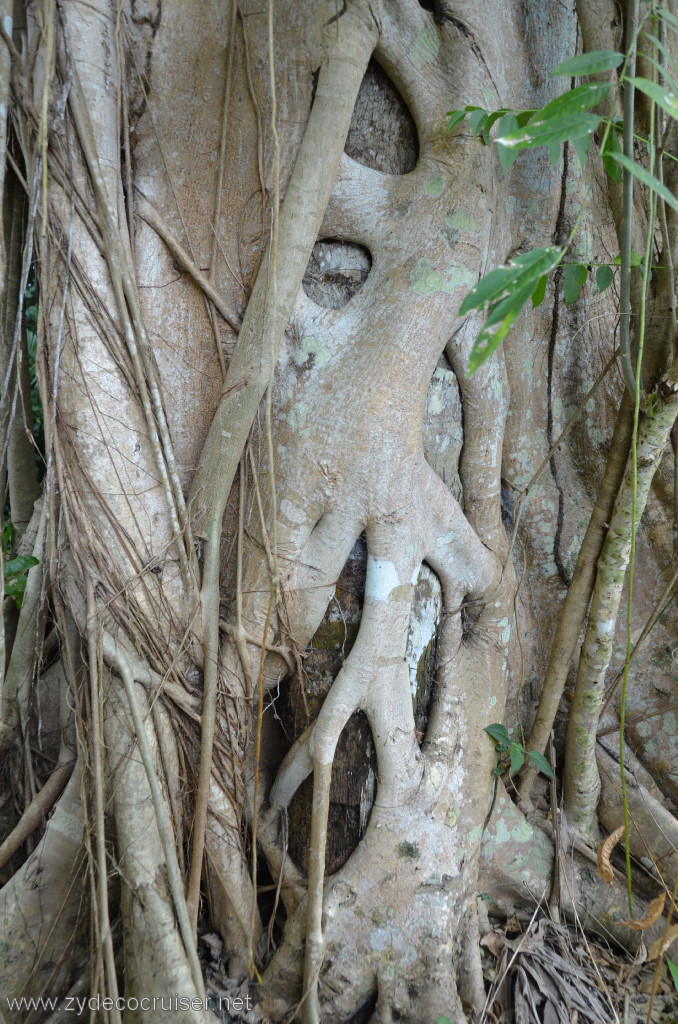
(276, 504)
